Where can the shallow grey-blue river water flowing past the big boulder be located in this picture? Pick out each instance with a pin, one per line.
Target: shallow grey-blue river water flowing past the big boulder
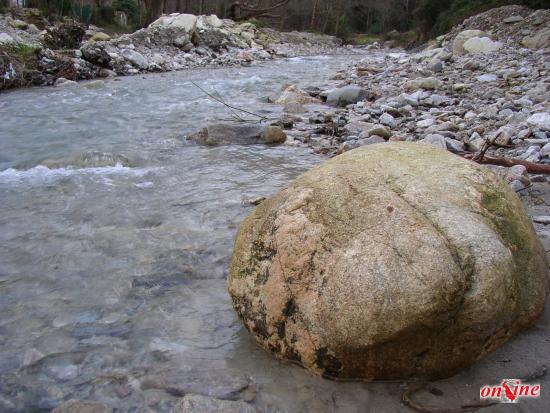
(115, 242)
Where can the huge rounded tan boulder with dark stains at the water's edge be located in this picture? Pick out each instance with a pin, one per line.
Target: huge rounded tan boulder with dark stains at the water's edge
(391, 261)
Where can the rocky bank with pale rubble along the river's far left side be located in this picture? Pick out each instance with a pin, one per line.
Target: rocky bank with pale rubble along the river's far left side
(35, 52)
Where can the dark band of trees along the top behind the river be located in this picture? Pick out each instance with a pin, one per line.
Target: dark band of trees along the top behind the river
(339, 17)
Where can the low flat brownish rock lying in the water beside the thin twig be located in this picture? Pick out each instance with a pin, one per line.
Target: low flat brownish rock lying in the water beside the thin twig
(238, 134)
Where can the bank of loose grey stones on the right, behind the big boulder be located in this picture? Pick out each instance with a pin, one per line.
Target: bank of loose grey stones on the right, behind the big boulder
(484, 83)
